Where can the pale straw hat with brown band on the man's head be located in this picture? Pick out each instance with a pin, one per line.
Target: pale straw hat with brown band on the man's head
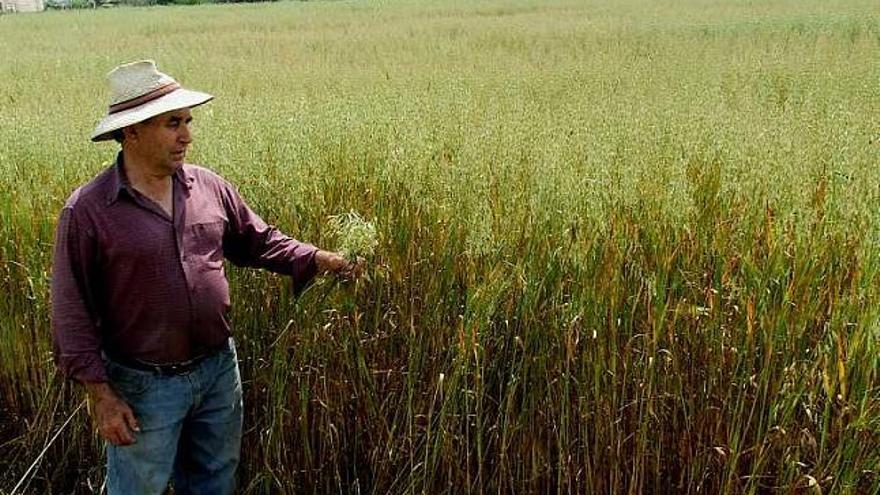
(139, 91)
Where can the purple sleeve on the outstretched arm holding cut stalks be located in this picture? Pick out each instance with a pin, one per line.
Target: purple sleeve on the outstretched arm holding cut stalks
(250, 241)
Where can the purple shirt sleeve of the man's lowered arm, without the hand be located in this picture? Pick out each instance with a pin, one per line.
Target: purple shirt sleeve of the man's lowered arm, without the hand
(77, 342)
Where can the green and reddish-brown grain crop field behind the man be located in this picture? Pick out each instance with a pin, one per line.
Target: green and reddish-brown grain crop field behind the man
(624, 246)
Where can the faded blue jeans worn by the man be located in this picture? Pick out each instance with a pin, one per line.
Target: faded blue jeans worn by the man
(190, 429)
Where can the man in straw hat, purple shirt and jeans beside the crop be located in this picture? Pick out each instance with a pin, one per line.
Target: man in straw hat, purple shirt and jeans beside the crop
(140, 299)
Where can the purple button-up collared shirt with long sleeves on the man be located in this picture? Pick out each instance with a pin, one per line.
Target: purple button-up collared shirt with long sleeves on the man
(131, 281)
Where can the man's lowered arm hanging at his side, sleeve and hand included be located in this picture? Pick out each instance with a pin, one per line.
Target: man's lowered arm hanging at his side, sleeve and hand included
(76, 338)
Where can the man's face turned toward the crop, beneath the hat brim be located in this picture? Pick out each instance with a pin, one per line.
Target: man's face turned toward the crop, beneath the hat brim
(162, 141)
